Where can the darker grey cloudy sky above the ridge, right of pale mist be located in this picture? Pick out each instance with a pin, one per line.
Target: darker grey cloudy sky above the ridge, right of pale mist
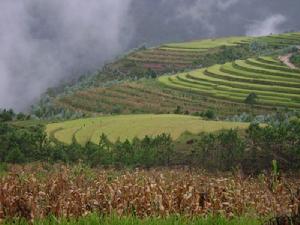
(167, 20)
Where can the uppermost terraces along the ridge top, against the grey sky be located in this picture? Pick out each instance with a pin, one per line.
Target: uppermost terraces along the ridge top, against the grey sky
(183, 55)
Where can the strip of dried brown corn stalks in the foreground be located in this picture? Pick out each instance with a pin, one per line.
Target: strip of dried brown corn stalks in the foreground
(38, 191)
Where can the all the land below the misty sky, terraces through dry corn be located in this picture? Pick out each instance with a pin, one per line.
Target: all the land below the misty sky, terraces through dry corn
(193, 131)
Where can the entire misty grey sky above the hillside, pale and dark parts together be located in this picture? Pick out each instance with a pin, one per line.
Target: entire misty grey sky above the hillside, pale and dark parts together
(45, 42)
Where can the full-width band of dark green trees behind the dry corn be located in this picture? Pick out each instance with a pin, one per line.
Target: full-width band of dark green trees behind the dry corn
(252, 150)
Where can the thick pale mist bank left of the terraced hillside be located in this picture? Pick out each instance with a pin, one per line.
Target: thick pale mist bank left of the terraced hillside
(45, 42)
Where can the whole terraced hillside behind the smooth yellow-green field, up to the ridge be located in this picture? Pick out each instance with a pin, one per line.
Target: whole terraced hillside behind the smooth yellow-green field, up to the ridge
(215, 74)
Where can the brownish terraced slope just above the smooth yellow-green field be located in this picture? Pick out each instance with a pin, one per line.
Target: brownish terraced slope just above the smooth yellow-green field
(147, 96)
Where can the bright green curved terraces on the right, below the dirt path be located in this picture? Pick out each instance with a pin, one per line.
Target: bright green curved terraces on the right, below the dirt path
(274, 83)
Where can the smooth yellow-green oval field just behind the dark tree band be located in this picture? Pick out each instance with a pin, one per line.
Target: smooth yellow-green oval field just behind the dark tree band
(130, 126)
